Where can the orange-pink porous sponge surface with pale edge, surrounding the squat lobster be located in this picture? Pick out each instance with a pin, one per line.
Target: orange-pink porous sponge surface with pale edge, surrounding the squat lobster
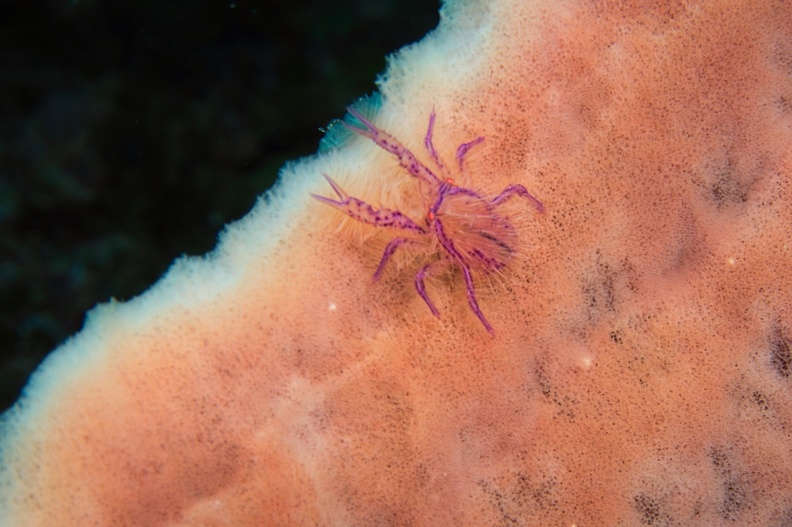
(642, 370)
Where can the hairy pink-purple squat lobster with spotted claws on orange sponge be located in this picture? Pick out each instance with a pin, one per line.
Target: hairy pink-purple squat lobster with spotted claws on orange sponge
(465, 225)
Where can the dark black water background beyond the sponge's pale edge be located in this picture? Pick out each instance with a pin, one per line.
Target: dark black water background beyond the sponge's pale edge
(132, 131)
